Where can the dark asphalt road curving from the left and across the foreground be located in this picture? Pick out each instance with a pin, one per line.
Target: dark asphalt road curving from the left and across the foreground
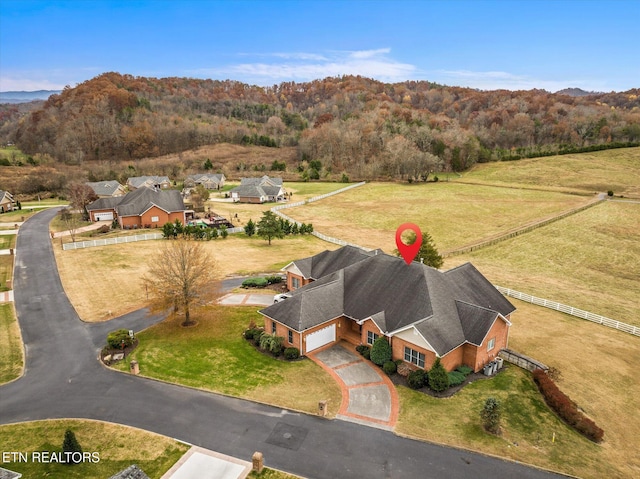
(63, 379)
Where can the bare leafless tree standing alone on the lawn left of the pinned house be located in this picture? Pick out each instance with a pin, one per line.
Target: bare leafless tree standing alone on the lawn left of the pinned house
(180, 275)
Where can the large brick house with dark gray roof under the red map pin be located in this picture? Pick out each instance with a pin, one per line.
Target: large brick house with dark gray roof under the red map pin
(457, 315)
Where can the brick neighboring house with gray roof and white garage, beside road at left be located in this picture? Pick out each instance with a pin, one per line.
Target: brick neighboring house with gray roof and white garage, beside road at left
(142, 208)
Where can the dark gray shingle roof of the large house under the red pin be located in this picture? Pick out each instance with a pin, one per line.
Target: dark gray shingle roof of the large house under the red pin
(446, 308)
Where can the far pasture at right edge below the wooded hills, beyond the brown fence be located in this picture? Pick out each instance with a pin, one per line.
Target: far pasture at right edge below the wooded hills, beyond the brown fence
(615, 170)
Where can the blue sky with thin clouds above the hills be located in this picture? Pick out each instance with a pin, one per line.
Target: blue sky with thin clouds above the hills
(525, 44)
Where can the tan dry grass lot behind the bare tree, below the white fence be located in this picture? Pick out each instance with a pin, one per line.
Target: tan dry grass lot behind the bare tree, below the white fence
(118, 269)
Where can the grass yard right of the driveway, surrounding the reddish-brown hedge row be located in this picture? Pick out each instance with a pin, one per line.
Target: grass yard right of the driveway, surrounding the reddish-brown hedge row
(597, 372)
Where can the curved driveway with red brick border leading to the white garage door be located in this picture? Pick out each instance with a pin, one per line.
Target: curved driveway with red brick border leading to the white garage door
(368, 395)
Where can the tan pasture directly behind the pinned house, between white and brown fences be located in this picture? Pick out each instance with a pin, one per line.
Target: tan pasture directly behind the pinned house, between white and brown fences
(454, 214)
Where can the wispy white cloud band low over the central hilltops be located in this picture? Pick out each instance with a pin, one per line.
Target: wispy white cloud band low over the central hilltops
(311, 66)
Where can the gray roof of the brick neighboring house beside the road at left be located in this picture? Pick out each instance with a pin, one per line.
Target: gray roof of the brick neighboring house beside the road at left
(140, 200)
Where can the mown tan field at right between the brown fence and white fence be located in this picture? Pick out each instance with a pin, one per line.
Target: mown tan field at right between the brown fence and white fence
(588, 261)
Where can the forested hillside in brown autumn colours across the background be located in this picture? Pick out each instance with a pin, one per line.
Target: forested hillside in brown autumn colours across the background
(356, 125)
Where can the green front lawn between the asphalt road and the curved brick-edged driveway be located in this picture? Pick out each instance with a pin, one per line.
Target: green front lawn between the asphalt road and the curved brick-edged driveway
(214, 356)
